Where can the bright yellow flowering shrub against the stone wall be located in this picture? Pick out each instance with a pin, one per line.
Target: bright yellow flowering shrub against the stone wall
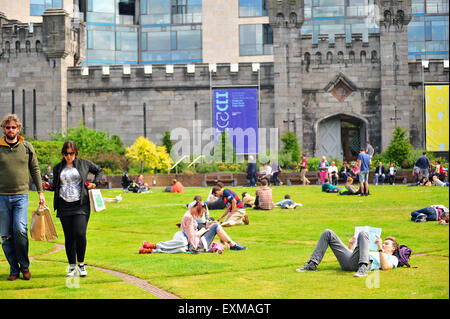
(151, 155)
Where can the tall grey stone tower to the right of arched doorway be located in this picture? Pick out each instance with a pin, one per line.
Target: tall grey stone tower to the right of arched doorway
(394, 17)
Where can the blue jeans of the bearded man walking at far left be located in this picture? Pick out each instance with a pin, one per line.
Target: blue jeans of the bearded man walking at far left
(14, 231)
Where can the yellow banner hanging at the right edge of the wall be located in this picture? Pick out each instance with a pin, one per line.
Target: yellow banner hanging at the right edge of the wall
(436, 117)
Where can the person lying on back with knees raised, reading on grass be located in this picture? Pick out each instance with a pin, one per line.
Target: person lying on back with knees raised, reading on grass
(359, 259)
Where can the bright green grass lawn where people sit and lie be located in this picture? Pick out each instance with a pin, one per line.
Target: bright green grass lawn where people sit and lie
(279, 241)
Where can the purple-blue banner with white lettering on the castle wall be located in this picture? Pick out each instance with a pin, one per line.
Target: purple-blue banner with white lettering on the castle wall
(237, 110)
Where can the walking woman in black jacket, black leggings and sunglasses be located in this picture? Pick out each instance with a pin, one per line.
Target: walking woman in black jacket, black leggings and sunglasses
(71, 201)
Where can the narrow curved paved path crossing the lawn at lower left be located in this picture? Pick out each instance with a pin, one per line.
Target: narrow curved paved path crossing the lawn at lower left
(140, 283)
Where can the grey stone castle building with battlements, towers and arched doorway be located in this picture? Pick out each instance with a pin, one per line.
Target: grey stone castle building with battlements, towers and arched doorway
(335, 91)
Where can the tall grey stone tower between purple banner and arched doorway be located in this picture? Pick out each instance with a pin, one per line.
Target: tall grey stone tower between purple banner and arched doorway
(286, 19)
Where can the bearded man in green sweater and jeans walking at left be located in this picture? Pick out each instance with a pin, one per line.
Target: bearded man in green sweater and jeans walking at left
(17, 158)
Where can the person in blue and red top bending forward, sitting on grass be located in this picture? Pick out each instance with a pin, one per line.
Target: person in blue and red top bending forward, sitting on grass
(235, 211)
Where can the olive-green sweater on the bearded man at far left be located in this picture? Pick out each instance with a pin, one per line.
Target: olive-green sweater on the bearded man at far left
(15, 163)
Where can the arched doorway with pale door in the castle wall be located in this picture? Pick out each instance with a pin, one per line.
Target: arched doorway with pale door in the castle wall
(340, 136)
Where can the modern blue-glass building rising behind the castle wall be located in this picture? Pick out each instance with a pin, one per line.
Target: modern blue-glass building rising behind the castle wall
(171, 31)
